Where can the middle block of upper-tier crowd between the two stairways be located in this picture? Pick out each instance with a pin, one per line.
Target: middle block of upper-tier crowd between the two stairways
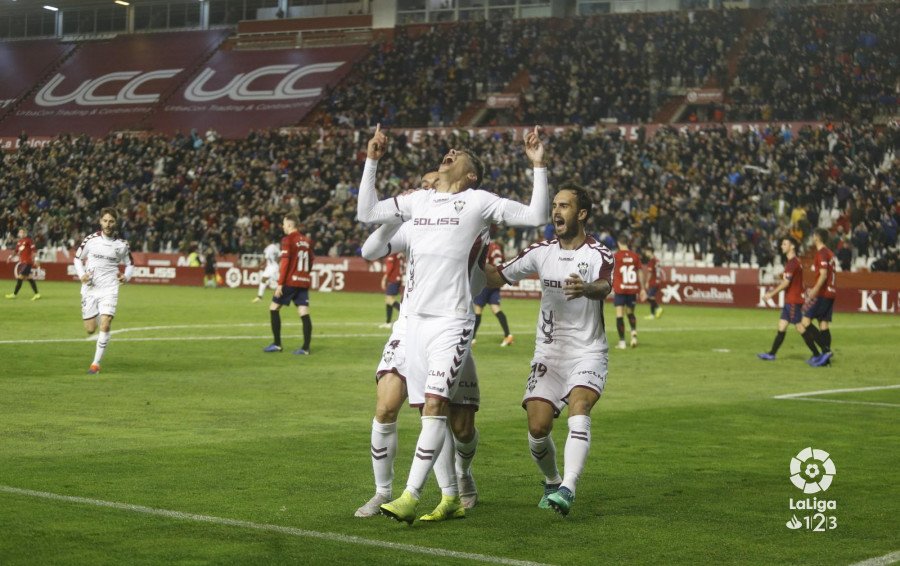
(620, 66)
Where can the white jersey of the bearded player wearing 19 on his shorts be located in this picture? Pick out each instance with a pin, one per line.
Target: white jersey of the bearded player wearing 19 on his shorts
(565, 328)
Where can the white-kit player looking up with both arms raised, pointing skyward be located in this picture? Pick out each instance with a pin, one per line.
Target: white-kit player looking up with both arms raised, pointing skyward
(446, 237)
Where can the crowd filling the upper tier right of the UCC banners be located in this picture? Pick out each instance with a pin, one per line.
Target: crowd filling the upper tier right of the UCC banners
(818, 63)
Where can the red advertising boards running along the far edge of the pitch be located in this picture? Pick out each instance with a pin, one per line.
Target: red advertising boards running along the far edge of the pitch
(694, 286)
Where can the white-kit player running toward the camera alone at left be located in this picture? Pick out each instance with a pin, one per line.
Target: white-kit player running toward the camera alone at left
(97, 265)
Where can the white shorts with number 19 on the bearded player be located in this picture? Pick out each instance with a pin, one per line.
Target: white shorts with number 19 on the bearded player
(552, 379)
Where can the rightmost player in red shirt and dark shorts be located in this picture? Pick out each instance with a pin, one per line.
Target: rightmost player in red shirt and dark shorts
(820, 302)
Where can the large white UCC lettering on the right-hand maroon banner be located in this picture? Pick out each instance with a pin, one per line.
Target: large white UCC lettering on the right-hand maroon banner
(239, 87)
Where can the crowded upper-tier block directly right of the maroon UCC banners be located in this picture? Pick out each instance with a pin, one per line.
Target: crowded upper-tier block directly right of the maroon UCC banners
(429, 76)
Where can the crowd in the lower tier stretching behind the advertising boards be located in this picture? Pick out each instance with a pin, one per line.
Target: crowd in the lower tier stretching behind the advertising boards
(710, 191)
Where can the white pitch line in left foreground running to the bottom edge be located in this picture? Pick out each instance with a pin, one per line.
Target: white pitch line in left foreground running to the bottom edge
(333, 537)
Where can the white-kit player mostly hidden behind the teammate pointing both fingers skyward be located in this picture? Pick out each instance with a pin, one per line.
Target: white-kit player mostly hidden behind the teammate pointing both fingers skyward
(395, 383)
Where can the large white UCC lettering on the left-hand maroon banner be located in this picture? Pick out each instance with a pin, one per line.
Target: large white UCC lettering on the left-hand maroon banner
(84, 95)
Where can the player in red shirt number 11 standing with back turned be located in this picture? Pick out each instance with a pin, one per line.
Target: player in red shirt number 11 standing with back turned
(294, 282)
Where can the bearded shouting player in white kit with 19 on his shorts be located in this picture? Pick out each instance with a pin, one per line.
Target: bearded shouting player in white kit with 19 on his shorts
(571, 352)
